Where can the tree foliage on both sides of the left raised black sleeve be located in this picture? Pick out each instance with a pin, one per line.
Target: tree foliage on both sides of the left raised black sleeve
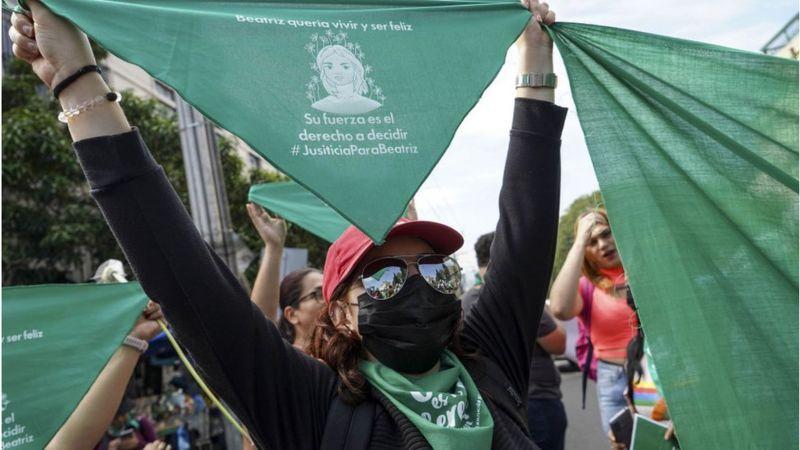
(51, 224)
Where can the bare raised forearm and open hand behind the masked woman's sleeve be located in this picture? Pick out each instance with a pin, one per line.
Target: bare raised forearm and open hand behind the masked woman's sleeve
(266, 288)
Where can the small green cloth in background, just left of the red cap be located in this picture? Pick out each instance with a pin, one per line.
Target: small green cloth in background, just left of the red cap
(299, 206)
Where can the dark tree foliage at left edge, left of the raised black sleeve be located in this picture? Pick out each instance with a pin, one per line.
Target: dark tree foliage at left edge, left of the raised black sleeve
(49, 221)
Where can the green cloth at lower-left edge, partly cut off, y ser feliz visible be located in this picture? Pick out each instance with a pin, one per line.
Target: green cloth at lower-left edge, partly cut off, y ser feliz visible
(56, 340)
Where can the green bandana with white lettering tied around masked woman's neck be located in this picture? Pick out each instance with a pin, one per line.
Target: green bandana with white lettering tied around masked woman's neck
(445, 406)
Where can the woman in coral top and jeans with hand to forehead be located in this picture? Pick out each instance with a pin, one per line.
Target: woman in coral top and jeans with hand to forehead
(592, 286)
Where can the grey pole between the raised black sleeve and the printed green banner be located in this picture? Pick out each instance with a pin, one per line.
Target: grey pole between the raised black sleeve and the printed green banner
(207, 198)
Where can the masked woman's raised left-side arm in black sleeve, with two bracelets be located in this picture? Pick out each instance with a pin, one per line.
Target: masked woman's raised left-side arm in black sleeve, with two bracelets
(280, 394)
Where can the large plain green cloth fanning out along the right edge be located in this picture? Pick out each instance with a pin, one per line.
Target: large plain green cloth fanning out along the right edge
(696, 151)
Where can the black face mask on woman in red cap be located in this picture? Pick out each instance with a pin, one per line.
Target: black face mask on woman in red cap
(409, 331)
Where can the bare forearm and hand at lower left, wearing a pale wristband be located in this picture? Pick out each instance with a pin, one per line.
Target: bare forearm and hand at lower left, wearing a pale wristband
(86, 425)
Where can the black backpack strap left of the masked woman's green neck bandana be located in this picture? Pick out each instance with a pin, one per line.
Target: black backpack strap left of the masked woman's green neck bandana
(348, 427)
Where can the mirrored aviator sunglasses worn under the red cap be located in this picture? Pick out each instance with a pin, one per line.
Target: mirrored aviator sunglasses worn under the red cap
(384, 277)
